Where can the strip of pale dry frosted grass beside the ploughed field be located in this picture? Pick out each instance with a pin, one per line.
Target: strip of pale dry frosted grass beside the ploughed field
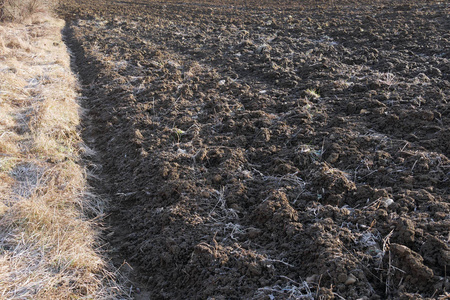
(48, 245)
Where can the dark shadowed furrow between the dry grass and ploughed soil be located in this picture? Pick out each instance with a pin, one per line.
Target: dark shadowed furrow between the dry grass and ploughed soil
(89, 70)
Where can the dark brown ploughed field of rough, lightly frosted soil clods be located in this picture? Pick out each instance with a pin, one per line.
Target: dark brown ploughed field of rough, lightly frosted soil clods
(262, 150)
